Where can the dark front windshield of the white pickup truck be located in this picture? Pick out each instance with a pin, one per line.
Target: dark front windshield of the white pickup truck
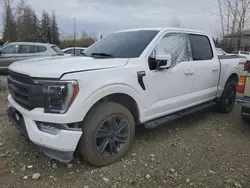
(128, 44)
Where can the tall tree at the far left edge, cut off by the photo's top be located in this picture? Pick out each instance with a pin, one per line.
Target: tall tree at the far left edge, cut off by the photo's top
(9, 31)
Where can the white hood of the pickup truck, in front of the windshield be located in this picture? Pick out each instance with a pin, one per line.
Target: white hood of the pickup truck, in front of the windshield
(55, 67)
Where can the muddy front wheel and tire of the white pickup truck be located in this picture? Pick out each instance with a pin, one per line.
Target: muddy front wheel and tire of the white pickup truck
(96, 124)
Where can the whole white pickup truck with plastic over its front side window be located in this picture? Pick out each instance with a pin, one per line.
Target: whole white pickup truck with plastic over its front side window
(92, 103)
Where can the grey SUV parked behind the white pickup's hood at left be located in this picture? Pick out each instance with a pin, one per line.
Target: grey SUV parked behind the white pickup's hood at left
(17, 51)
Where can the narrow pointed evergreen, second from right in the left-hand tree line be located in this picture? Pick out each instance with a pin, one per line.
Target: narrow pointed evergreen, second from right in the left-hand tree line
(46, 28)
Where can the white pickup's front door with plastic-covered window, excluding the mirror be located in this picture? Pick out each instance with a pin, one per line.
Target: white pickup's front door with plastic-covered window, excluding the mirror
(169, 89)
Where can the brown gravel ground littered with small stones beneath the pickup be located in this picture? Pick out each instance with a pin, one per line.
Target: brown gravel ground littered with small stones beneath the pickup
(202, 150)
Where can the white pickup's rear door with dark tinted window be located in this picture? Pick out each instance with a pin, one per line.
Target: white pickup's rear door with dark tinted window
(205, 67)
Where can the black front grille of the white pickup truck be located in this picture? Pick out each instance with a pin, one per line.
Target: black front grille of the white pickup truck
(25, 91)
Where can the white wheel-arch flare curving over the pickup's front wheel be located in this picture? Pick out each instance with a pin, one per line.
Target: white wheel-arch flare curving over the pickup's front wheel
(108, 90)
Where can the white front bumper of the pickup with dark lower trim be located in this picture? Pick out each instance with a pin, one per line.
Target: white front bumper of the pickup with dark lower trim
(60, 146)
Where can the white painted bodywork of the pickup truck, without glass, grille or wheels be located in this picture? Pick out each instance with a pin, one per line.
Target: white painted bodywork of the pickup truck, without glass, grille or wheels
(167, 91)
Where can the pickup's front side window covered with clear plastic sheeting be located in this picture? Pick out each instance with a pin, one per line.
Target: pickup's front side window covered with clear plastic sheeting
(177, 45)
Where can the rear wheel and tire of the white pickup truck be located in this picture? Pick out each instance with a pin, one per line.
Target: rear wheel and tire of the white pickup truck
(227, 100)
